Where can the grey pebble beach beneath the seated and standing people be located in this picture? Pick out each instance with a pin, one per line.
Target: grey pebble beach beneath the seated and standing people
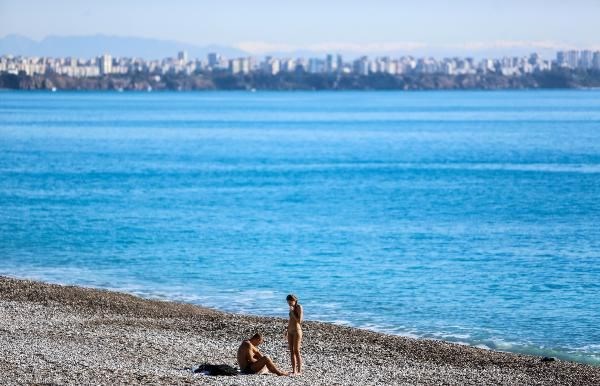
(63, 335)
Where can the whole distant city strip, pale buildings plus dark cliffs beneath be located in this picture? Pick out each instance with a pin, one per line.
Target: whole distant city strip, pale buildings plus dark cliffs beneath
(332, 72)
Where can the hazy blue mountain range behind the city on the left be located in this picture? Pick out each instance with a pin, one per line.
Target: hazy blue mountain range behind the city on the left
(95, 45)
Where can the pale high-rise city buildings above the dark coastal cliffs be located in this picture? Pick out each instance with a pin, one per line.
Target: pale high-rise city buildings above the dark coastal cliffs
(214, 62)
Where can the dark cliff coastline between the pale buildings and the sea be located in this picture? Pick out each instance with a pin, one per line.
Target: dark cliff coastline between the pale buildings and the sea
(555, 79)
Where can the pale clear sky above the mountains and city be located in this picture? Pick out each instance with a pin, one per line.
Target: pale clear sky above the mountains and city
(264, 26)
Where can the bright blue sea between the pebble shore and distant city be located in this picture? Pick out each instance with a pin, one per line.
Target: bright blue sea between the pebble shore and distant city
(471, 217)
